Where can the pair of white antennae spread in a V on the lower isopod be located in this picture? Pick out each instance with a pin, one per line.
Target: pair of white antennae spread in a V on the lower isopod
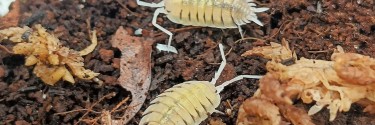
(220, 70)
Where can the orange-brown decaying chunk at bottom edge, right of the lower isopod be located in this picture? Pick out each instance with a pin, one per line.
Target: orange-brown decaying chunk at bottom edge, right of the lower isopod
(270, 107)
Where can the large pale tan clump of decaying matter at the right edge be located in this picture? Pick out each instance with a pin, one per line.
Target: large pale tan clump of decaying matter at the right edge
(335, 84)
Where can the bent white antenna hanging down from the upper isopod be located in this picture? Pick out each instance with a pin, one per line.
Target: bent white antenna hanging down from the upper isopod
(163, 47)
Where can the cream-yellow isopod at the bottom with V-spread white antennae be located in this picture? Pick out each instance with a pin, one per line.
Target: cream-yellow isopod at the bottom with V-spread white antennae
(188, 103)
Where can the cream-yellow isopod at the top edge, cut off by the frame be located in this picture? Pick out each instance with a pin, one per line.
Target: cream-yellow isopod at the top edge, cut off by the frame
(208, 13)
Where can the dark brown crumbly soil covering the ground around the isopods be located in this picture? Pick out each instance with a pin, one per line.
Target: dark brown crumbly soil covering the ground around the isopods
(311, 34)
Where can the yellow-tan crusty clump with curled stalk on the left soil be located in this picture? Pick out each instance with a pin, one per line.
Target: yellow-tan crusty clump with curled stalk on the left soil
(53, 61)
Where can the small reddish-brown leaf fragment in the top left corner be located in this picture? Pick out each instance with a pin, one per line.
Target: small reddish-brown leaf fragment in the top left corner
(12, 18)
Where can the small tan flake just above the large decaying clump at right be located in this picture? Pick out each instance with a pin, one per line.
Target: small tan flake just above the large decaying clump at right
(276, 52)
